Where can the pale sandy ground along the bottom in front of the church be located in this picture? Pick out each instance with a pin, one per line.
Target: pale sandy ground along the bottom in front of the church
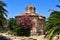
(41, 37)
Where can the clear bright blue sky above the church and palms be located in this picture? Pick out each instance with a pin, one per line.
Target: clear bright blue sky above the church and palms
(16, 7)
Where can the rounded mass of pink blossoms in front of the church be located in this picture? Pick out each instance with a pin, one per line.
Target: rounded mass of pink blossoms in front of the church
(25, 21)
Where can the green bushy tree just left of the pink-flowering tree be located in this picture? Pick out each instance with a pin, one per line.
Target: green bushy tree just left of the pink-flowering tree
(12, 26)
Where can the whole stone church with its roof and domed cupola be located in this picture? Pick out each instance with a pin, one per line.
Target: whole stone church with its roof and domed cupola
(39, 20)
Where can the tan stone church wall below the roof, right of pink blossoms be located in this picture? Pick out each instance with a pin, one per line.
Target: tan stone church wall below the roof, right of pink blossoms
(38, 27)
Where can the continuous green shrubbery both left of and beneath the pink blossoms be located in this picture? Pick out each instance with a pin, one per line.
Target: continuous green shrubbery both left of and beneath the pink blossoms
(17, 29)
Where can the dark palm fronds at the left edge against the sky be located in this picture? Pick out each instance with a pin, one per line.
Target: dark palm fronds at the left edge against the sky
(3, 13)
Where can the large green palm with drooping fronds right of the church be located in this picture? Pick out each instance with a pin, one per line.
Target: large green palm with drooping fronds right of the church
(53, 25)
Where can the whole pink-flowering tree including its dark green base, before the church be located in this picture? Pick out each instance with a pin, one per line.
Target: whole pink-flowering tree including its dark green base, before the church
(25, 25)
